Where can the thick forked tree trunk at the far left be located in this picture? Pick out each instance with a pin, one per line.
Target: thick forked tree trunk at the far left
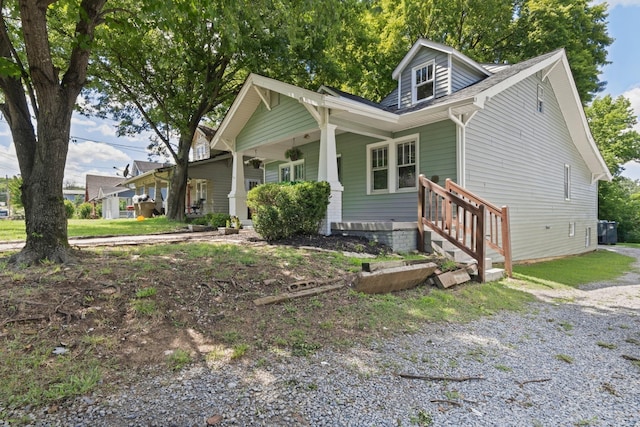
(42, 154)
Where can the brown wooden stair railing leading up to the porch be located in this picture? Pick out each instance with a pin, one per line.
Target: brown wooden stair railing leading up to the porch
(465, 220)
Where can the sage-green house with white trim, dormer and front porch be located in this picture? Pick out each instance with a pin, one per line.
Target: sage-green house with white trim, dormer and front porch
(514, 135)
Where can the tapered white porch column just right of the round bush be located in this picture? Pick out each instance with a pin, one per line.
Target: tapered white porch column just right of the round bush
(328, 171)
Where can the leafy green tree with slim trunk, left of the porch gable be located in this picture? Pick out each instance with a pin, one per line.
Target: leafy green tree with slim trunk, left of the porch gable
(165, 67)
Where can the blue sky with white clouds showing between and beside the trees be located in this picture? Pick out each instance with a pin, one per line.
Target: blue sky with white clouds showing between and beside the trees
(97, 150)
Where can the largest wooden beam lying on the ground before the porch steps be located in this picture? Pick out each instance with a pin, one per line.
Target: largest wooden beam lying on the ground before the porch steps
(394, 279)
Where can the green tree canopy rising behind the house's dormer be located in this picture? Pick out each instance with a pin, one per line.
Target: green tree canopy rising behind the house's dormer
(492, 31)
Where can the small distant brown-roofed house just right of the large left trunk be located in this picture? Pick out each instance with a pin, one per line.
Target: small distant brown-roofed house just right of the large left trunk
(108, 190)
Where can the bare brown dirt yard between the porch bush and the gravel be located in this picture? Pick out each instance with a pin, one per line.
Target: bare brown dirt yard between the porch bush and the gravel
(132, 311)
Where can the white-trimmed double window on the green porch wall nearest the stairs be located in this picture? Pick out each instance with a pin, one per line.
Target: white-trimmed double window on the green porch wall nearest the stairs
(392, 166)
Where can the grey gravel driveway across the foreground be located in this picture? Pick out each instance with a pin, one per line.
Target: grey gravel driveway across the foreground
(561, 363)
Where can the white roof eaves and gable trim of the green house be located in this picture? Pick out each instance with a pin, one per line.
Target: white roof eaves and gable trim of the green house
(384, 119)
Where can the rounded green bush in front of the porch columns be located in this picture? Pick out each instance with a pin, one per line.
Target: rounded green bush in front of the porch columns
(284, 210)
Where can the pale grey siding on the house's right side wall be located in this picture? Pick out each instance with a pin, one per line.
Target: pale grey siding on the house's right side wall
(516, 157)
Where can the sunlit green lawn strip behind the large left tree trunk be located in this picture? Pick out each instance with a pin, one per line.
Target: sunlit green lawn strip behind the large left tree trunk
(15, 230)
